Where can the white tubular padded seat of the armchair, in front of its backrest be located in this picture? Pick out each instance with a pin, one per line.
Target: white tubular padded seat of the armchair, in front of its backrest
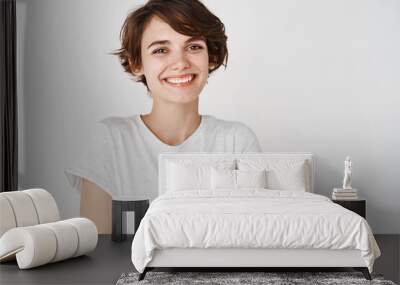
(41, 244)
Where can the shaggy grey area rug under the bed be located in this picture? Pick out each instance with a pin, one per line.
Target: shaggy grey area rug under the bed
(230, 278)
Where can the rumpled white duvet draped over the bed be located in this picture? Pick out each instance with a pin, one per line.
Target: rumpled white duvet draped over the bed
(250, 218)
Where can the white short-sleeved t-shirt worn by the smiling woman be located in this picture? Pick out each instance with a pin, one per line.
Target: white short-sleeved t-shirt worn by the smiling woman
(122, 158)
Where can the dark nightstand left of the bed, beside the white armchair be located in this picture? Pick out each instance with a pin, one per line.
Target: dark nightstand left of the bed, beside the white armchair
(126, 204)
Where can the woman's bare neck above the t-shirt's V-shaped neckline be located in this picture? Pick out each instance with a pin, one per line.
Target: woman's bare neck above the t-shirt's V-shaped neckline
(173, 123)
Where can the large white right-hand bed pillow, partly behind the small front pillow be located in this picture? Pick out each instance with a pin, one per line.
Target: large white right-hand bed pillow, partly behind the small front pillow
(282, 174)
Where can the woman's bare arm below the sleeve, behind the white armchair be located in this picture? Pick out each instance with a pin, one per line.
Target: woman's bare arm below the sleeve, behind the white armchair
(96, 206)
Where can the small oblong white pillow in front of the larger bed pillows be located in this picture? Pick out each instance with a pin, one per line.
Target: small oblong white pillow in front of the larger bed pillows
(236, 179)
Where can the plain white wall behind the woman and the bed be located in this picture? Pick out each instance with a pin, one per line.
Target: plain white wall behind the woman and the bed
(318, 76)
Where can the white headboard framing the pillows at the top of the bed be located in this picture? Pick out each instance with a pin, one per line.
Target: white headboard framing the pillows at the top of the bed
(164, 158)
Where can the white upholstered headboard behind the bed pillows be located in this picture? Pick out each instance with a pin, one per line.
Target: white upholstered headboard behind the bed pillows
(245, 159)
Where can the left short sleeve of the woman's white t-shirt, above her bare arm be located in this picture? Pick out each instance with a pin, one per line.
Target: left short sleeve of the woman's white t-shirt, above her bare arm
(96, 162)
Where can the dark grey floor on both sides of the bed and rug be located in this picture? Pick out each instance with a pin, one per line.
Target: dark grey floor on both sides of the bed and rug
(110, 260)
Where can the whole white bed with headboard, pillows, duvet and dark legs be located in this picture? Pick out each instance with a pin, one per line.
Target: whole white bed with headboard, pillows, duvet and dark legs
(253, 210)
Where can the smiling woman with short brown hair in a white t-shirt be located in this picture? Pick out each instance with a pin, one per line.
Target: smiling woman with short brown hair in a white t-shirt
(171, 46)
